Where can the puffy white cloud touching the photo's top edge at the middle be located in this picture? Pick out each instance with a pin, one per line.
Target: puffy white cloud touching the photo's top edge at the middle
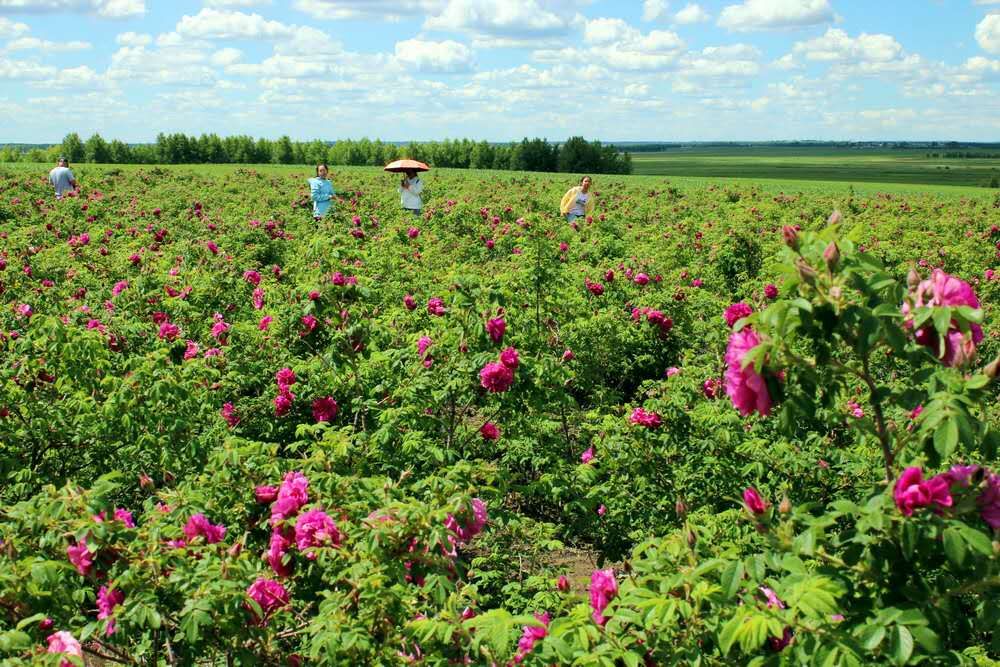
(518, 19)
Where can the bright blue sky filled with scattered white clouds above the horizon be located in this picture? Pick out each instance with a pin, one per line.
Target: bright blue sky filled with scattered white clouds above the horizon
(501, 69)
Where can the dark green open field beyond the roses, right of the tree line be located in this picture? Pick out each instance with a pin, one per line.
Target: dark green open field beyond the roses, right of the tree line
(912, 166)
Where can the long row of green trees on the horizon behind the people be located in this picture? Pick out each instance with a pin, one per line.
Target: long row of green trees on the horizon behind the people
(575, 155)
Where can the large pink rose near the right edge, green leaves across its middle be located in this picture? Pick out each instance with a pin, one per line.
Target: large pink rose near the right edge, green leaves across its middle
(942, 289)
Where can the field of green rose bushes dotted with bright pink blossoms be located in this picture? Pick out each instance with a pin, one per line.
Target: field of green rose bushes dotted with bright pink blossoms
(717, 423)
